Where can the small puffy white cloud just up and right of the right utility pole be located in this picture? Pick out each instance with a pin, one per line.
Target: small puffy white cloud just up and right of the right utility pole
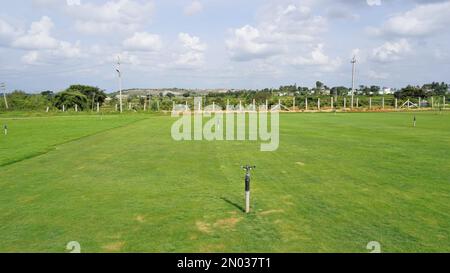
(391, 51)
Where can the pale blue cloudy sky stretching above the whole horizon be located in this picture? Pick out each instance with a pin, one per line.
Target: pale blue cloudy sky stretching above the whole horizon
(50, 44)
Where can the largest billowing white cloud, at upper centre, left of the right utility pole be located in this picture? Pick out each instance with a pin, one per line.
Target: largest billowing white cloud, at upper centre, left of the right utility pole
(289, 34)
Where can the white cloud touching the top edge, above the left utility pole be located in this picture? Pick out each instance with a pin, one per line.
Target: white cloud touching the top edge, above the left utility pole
(111, 17)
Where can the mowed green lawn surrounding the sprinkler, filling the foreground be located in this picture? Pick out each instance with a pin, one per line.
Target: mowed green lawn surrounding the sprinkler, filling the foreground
(336, 183)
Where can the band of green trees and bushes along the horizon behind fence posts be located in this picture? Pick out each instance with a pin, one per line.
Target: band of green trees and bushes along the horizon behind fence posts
(87, 97)
